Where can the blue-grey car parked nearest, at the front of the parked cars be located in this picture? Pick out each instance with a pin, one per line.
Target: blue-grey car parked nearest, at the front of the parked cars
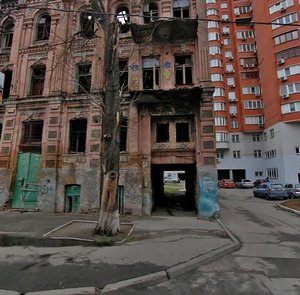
(270, 191)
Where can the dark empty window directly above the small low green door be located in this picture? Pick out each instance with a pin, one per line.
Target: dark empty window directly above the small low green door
(78, 135)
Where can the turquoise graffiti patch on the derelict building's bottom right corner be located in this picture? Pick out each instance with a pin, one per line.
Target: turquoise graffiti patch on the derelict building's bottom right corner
(208, 205)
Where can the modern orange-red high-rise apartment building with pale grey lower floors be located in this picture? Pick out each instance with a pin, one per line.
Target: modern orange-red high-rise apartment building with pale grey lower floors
(254, 49)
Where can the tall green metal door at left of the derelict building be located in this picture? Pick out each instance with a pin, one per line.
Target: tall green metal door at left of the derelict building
(26, 188)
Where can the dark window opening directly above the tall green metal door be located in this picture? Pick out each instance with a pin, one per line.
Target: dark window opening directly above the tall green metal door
(32, 136)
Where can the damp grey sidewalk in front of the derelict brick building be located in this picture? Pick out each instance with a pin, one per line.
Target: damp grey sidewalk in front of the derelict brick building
(158, 248)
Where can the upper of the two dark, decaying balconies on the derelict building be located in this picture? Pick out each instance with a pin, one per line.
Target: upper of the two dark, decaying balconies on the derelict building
(165, 31)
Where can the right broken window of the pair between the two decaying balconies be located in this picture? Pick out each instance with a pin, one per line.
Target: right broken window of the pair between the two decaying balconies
(183, 70)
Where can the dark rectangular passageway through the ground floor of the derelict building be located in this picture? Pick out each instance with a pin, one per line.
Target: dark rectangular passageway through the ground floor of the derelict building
(173, 189)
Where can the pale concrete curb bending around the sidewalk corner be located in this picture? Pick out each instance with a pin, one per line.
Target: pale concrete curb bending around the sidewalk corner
(179, 269)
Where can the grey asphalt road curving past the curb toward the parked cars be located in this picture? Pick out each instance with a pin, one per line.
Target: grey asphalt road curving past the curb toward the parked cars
(267, 263)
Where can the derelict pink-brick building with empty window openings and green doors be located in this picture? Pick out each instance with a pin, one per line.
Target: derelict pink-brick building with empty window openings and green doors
(51, 63)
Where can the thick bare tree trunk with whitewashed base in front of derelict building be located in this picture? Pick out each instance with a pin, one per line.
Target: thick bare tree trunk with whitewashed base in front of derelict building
(108, 223)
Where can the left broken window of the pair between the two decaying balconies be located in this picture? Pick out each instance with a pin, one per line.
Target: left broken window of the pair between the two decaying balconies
(151, 72)
